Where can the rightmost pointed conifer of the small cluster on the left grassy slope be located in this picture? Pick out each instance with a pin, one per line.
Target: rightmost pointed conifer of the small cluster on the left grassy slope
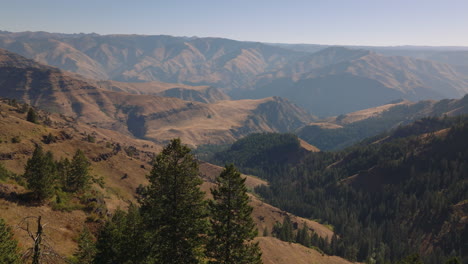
(78, 177)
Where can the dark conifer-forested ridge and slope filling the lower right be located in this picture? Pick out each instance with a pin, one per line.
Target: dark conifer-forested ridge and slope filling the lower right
(396, 195)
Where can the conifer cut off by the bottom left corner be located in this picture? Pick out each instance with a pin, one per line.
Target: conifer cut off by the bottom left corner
(9, 253)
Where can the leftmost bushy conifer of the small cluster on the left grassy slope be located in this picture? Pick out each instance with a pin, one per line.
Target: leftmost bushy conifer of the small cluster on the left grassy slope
(40, 174)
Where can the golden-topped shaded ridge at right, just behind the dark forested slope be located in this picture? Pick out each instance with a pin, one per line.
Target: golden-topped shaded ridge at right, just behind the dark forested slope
(342, 131)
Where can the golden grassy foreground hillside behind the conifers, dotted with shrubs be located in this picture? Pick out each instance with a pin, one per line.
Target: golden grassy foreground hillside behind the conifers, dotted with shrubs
(123, 163)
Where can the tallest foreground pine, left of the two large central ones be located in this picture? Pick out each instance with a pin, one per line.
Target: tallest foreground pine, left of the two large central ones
(173, 207)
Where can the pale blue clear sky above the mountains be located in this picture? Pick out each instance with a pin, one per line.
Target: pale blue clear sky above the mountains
(332, 22)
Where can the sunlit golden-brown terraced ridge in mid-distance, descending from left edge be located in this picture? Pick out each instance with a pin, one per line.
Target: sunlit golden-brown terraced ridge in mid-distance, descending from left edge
(142, 114)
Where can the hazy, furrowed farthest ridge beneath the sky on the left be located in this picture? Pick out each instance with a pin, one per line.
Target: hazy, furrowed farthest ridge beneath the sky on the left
(226, 63)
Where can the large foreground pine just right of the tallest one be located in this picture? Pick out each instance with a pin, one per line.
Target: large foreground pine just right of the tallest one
(232, 226)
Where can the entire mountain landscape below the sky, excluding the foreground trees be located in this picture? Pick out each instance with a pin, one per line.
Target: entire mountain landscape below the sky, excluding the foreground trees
(121, 97)
